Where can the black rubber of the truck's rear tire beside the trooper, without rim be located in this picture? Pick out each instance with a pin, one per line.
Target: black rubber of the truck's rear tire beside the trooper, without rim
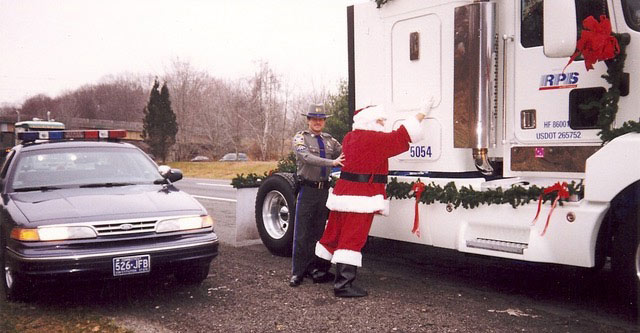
(283, 183)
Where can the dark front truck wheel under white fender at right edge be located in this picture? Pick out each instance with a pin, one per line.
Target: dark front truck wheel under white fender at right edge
(625, 252)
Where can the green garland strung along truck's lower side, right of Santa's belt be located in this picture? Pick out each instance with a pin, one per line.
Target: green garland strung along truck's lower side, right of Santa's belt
(467, 197)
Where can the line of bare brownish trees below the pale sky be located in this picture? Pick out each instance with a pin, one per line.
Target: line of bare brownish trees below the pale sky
(257, 115)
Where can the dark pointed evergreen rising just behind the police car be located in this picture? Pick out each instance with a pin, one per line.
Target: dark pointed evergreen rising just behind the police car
(159, 124)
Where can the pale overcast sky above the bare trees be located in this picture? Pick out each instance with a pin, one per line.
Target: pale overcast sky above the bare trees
(51, 46)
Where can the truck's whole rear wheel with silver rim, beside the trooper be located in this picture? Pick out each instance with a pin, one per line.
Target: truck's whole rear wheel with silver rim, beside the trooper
(275, 213)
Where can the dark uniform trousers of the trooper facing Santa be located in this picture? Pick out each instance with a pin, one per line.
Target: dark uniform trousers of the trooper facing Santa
(311, 218)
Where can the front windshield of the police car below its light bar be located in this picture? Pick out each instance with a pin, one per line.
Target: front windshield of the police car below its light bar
(63, 167)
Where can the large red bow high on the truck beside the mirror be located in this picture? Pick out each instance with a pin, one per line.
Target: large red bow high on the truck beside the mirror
(596, 42)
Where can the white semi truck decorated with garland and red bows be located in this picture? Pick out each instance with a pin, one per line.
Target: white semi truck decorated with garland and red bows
(507, 116)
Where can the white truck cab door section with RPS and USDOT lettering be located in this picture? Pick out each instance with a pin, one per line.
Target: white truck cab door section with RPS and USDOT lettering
(546, 121)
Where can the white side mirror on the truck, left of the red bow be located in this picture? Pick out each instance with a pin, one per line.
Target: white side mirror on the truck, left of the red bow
(559, 27)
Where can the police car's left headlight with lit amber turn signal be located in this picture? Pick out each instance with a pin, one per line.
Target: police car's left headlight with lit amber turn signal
(52, 233)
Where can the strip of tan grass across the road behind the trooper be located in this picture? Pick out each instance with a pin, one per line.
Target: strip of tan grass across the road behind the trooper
(222, 170)
